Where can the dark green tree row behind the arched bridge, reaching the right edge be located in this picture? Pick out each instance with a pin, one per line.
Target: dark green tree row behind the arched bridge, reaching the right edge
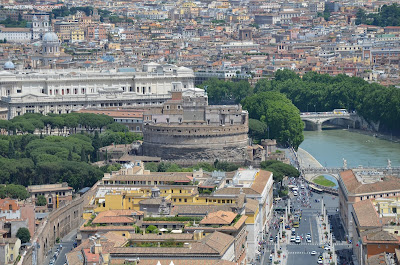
(323, 92)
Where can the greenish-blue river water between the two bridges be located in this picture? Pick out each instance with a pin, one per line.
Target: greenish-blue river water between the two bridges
(329, 147)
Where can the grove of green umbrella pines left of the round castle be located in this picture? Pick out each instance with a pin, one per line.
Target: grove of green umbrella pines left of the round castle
(28, 159)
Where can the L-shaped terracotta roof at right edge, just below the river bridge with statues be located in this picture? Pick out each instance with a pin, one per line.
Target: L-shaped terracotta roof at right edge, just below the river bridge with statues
(389, 183)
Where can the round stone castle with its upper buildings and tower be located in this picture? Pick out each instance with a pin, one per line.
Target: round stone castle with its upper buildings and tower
(186, 128)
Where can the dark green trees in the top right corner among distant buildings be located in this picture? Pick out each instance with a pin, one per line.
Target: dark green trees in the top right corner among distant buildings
(387, 16)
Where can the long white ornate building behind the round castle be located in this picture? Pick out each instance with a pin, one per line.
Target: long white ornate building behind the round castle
(62, 91)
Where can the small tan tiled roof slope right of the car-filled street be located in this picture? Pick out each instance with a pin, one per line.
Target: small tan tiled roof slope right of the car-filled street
(366, 213)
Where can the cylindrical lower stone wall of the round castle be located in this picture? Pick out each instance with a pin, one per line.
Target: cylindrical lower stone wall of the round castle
(204, 143)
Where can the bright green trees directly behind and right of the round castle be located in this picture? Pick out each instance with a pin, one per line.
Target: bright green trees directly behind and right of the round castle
(271, 113)
